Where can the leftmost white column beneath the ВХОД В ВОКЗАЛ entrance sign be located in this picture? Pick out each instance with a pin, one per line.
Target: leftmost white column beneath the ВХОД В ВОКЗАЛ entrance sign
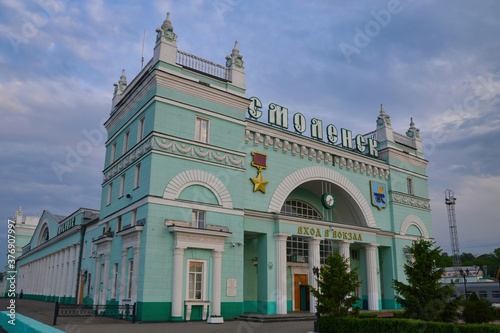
(281, 299)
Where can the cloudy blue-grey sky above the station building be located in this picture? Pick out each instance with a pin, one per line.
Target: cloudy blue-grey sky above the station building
(435, 61)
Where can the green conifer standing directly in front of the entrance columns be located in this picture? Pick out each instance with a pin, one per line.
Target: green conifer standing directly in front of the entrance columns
(336, 286)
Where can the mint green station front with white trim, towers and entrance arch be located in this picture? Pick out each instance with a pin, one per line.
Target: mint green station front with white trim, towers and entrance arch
(194, 226)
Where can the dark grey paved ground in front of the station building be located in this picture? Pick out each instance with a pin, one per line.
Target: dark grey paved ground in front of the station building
(44, 312)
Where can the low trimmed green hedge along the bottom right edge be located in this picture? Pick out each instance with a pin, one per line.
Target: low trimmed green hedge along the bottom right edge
(396, 325)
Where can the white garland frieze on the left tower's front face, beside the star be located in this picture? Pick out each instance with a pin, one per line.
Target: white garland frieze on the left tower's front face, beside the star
(180, 147)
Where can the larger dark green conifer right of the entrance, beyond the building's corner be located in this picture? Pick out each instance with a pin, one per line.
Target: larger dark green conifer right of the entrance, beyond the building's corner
(424, 297)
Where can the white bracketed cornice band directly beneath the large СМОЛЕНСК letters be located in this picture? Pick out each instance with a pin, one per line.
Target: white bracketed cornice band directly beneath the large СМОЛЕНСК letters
(314, 152)
